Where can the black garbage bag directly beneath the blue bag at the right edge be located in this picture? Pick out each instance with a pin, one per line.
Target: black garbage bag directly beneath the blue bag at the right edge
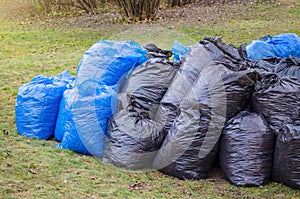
(285, 67)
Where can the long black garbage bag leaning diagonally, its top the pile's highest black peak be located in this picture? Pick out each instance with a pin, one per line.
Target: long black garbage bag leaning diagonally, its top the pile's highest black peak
(208, 52)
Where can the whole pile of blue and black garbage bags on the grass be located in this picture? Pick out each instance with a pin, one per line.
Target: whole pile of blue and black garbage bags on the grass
(181, 111)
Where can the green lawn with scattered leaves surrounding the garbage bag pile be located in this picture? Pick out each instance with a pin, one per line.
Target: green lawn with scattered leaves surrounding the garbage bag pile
(33, 168)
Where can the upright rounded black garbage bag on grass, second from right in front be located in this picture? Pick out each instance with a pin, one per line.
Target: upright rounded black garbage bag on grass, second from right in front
(246, 150)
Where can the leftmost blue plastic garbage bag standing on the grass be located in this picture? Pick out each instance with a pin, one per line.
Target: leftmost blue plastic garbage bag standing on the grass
(37, 105)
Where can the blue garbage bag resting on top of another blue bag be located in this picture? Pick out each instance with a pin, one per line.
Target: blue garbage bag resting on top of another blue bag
(108, 61)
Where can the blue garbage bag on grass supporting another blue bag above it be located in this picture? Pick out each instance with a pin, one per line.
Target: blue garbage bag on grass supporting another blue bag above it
(86, 111)
